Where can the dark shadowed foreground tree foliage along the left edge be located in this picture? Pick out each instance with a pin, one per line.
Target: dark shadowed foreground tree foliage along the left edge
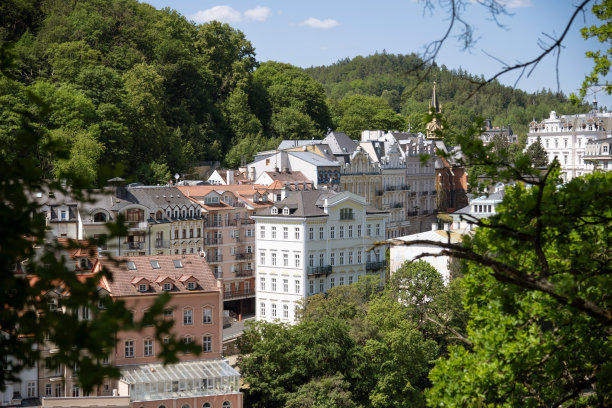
(27, 318)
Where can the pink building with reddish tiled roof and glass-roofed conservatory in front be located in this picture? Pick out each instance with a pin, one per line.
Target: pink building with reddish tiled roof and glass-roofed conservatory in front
(196, 307)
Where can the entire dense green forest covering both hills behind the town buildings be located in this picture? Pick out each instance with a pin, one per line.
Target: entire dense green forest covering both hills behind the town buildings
(149, 92)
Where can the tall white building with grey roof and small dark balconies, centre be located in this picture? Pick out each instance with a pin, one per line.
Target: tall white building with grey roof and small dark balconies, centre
(310, 242)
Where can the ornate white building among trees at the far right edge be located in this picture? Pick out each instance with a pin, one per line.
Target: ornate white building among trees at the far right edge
(566, 137)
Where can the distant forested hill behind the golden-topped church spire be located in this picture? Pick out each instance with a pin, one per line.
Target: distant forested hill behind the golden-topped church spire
(397, 79)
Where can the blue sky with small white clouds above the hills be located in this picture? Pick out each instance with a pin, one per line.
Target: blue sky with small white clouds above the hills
(315, 32)
